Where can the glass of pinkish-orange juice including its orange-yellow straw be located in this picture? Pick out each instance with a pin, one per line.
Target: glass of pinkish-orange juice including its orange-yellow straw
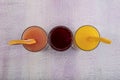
(34, 39)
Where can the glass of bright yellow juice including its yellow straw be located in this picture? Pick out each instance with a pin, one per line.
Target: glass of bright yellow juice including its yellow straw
(88, 38)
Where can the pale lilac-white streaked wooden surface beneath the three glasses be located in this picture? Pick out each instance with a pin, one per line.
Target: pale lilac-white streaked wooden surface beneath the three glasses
(16, 63)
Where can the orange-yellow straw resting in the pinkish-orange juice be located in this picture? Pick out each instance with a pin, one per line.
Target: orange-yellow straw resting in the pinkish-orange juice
(28, 41)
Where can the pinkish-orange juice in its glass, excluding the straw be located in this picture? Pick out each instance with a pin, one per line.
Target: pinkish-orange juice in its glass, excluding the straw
(37, 33)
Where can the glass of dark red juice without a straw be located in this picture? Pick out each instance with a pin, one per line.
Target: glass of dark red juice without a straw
(60, 38)
